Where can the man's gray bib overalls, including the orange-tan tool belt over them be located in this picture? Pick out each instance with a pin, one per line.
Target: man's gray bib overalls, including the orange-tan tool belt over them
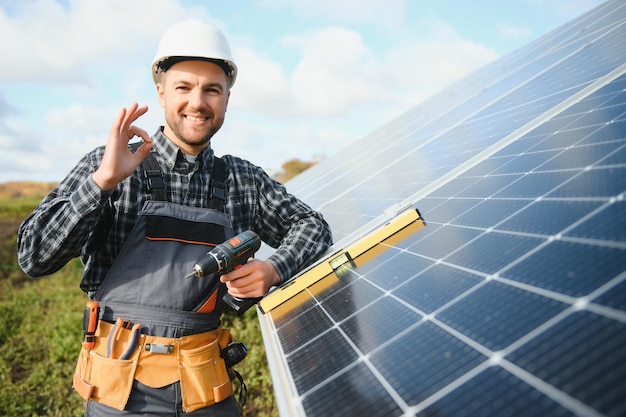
(159, 329)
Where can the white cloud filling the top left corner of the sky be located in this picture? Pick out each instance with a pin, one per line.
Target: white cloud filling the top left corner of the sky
(67, 44)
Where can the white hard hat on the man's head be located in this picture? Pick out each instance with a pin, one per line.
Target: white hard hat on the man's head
(194, 39)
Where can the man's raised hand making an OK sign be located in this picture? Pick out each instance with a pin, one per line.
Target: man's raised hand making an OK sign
(119, 161)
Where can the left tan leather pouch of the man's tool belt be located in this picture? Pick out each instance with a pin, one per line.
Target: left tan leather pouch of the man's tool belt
(111, 379)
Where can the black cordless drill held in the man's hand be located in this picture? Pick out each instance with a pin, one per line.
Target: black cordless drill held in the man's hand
(224, 258)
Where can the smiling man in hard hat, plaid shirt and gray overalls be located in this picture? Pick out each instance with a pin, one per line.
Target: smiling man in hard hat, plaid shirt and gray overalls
(141, 217)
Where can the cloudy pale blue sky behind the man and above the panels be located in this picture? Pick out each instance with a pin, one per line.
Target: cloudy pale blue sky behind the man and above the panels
(315, 76)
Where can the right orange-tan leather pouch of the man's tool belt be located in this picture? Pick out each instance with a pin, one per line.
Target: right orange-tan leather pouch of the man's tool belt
(203, 377)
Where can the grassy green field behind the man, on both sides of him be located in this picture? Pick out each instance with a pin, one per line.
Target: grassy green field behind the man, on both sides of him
(41, 329)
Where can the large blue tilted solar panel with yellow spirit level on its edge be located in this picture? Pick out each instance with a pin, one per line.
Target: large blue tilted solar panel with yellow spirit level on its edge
(480, 258)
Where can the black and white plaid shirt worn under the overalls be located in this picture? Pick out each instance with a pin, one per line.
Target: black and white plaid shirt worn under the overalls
(79, 219)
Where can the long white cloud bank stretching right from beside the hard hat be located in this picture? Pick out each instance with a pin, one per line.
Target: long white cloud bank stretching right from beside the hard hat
(339, 74)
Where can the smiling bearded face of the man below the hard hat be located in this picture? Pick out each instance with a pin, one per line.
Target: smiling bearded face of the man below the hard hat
(194, 95)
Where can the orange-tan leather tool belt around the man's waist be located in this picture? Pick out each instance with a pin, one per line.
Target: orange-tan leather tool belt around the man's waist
(105, 373)
